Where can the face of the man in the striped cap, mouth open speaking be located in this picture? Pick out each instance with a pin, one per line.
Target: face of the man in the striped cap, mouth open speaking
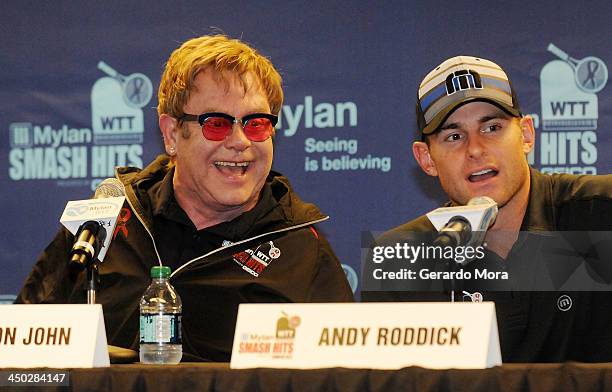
(480, 150)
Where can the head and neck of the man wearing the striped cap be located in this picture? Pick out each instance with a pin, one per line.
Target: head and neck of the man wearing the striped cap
(474, 138)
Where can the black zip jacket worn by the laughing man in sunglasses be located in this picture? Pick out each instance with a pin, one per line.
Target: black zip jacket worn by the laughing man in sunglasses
(211, 286)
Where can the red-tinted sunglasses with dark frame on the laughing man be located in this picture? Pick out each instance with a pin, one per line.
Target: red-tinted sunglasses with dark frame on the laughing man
(257, 127)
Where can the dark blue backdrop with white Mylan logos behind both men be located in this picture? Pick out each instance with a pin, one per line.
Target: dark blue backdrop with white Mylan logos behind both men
(79, 80)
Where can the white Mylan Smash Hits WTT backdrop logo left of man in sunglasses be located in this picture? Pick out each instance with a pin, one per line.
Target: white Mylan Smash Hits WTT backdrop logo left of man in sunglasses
(80, 156)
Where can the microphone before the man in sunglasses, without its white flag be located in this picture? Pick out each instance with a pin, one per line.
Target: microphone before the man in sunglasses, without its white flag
(91, 234)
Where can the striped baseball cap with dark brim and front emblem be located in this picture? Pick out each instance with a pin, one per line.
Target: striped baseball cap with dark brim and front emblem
(459, 80)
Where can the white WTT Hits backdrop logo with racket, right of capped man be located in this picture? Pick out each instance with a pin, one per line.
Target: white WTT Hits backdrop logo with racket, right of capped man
(569, 87)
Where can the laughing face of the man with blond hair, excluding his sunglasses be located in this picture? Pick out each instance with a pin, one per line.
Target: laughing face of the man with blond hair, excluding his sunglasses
(216, 181)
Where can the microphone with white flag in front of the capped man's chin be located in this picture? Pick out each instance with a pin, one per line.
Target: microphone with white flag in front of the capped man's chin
(478, 214)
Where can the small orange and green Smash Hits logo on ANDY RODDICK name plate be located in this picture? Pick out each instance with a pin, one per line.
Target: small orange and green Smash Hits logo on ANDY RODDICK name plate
(277, 345)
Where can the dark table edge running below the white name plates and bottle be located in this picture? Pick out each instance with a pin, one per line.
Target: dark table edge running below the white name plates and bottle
(569, 376)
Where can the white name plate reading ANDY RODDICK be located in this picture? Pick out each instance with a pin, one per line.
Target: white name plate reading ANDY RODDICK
(436, 335)
